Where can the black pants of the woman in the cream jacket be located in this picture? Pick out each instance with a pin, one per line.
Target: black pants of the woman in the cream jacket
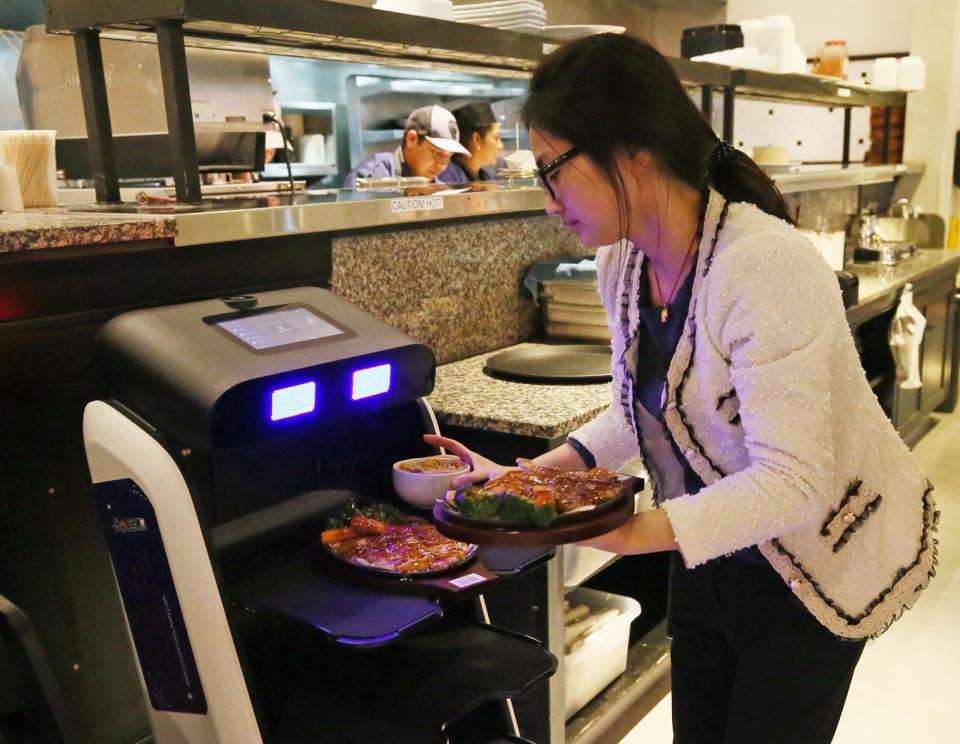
(750, 663)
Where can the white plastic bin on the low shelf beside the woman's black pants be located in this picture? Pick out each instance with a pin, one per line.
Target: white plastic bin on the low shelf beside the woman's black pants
(603, 656)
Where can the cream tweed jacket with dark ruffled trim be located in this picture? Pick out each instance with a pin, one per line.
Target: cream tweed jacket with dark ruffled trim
(768, 402)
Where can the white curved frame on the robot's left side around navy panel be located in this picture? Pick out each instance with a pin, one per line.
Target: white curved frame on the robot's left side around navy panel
(117, 448)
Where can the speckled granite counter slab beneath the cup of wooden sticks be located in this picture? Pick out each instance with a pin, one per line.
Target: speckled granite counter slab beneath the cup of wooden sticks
(28, 231)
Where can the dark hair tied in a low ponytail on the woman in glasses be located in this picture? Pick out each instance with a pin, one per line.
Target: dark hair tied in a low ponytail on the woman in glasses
(613, 94)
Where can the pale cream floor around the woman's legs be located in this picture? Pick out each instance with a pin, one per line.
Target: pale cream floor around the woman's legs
(907, 685)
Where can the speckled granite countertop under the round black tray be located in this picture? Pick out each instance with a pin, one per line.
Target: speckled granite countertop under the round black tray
(465, 396)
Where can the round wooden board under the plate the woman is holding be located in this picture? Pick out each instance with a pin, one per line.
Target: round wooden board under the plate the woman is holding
(470, 531)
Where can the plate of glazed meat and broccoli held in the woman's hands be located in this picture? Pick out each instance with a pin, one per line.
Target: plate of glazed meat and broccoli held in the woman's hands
(535, 504)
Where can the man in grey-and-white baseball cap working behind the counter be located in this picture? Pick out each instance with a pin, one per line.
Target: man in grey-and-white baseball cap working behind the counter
(430, 138)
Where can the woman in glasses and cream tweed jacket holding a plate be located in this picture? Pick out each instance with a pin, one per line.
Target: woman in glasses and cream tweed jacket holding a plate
(800, 523)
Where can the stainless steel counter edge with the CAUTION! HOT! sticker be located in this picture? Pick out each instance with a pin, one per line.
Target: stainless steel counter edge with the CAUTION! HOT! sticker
(242, 224)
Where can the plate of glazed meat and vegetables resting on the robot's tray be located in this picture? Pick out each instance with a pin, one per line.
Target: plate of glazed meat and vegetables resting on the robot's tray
(377, 538)
